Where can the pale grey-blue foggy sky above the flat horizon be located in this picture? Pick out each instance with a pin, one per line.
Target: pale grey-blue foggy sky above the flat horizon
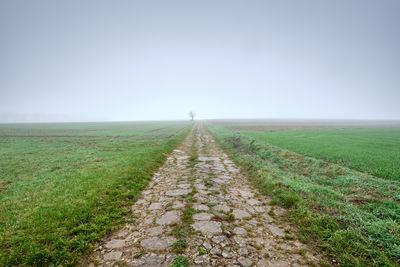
(155, 60)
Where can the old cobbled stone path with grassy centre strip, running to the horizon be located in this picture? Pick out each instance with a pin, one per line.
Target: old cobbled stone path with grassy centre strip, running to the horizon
(203, 209)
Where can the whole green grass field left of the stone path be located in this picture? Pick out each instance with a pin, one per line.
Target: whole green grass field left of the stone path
(64, 186)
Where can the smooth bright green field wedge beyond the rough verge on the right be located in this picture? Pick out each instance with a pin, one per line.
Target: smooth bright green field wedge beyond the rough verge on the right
(376, 151)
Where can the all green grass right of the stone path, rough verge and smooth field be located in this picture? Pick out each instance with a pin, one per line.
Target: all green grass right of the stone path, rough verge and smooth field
(352, 216)
